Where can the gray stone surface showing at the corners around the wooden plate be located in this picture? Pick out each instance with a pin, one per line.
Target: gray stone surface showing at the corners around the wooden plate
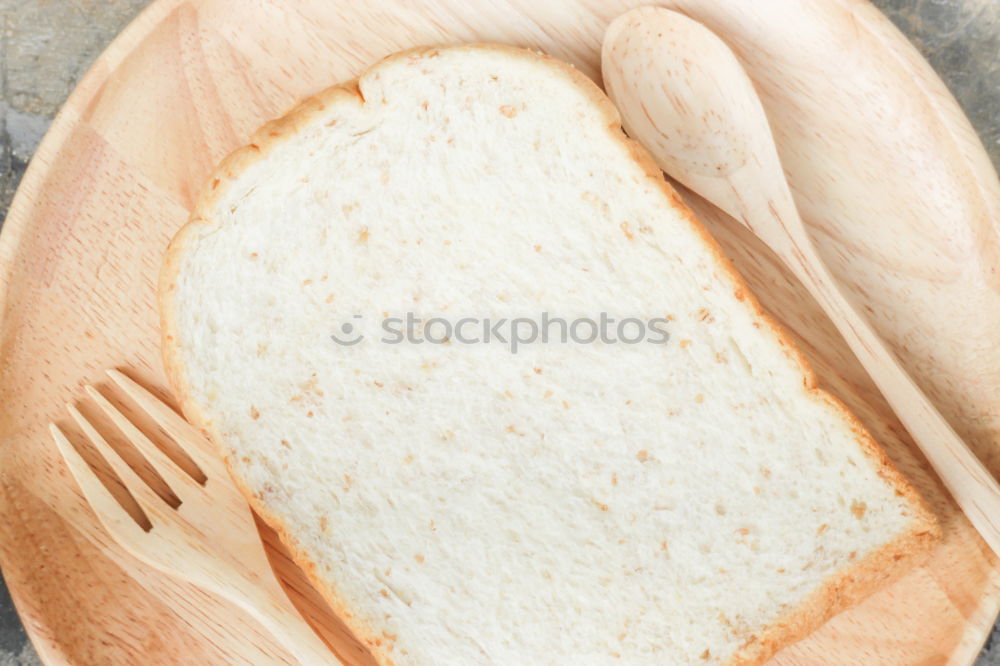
(46, 45)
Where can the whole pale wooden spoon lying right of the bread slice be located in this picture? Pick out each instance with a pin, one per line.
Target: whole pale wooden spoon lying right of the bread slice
(684, 95)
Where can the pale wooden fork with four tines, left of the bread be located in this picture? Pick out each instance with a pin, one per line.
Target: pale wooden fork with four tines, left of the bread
(209, 539)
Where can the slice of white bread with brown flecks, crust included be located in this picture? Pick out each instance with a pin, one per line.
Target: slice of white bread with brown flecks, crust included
(699, 501)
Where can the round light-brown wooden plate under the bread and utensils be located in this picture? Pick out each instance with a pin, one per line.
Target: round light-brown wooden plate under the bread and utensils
(887, 170)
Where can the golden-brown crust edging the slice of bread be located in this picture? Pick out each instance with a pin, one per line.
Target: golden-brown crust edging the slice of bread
(839, 592)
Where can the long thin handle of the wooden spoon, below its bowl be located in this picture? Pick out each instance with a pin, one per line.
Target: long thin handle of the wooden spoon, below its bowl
(970, 483)
